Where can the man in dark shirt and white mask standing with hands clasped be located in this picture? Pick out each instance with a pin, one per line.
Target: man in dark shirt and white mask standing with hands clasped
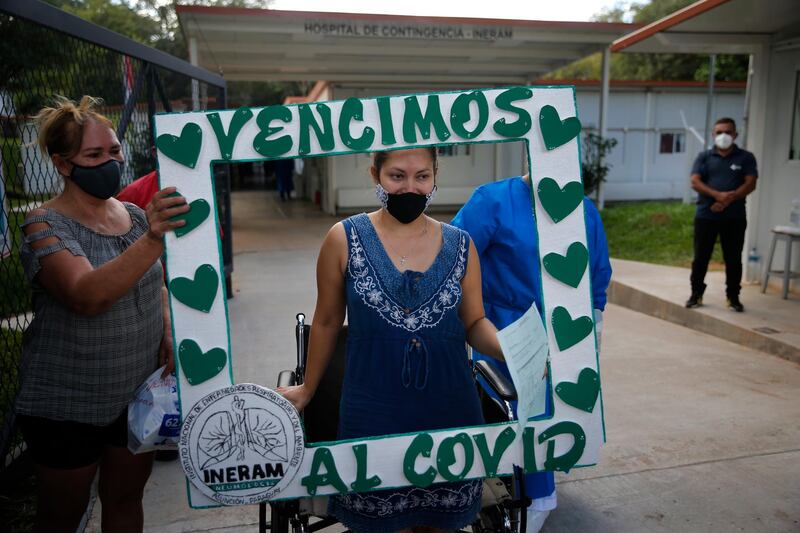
(723, 176)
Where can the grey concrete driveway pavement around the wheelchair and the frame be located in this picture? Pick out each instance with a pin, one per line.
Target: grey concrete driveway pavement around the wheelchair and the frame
(703, 434)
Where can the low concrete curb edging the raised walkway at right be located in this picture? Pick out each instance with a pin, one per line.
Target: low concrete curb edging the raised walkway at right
(637, 300)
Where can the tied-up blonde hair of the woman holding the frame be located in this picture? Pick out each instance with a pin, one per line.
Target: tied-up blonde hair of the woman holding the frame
(61, 126)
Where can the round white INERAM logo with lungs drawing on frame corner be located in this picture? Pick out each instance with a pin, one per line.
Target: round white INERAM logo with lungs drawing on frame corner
(241, 444)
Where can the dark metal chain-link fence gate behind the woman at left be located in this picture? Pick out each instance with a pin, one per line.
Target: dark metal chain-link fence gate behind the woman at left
(38, 62)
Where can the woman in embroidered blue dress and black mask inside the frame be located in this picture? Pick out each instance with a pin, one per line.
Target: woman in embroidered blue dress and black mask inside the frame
(411, 289)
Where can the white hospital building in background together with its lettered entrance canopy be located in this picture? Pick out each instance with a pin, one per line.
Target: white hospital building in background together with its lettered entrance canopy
(656, 124)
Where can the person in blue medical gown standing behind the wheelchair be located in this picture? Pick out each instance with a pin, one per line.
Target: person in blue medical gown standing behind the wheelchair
(499, 218)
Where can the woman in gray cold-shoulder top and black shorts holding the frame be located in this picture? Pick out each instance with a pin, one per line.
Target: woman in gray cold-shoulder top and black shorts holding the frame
(100, 323)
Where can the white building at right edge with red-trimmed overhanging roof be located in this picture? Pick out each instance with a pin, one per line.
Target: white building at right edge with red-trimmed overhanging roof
(770, 33)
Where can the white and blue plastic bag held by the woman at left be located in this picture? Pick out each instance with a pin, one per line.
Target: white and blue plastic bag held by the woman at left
(154, 417)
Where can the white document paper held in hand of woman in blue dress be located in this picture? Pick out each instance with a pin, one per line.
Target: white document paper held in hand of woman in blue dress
(524, 344)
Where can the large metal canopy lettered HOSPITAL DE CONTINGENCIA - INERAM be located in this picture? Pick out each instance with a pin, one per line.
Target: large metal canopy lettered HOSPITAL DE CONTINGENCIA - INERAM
(269, 45)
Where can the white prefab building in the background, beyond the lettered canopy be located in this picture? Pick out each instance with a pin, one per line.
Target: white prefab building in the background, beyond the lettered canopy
(659, 128)
